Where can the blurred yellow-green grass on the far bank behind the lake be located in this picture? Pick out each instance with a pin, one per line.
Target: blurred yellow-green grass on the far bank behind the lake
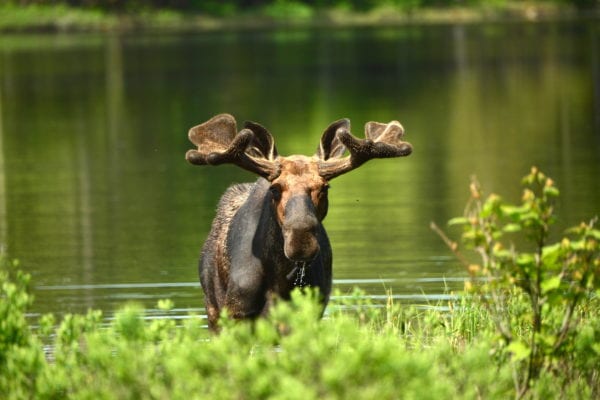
(60, 17)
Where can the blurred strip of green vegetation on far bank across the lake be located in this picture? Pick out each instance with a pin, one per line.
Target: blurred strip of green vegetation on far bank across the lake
(211, 14)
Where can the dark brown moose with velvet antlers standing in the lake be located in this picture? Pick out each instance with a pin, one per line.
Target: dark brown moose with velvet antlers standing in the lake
(267, 237)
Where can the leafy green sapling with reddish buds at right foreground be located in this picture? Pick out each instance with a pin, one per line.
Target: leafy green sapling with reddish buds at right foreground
(550, 289)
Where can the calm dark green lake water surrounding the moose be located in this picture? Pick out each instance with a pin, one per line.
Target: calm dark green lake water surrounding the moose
(99, 205)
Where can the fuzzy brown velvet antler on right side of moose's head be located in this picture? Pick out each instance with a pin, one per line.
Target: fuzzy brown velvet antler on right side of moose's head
(382, 141)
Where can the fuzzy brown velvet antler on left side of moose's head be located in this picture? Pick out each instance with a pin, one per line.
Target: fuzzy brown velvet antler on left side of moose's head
(218, 142)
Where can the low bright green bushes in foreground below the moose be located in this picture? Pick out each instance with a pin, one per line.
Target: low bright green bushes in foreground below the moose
(360, 350)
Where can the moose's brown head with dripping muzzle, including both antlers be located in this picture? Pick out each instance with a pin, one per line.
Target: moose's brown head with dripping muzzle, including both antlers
(299, 183)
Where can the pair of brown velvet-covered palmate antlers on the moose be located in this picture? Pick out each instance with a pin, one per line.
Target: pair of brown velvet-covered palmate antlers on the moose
(253, 148)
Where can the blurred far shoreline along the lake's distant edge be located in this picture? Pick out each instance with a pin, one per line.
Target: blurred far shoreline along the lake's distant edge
(62, 19)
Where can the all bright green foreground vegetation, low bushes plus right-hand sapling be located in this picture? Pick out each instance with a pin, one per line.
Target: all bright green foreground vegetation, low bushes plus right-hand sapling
(527, 326)
